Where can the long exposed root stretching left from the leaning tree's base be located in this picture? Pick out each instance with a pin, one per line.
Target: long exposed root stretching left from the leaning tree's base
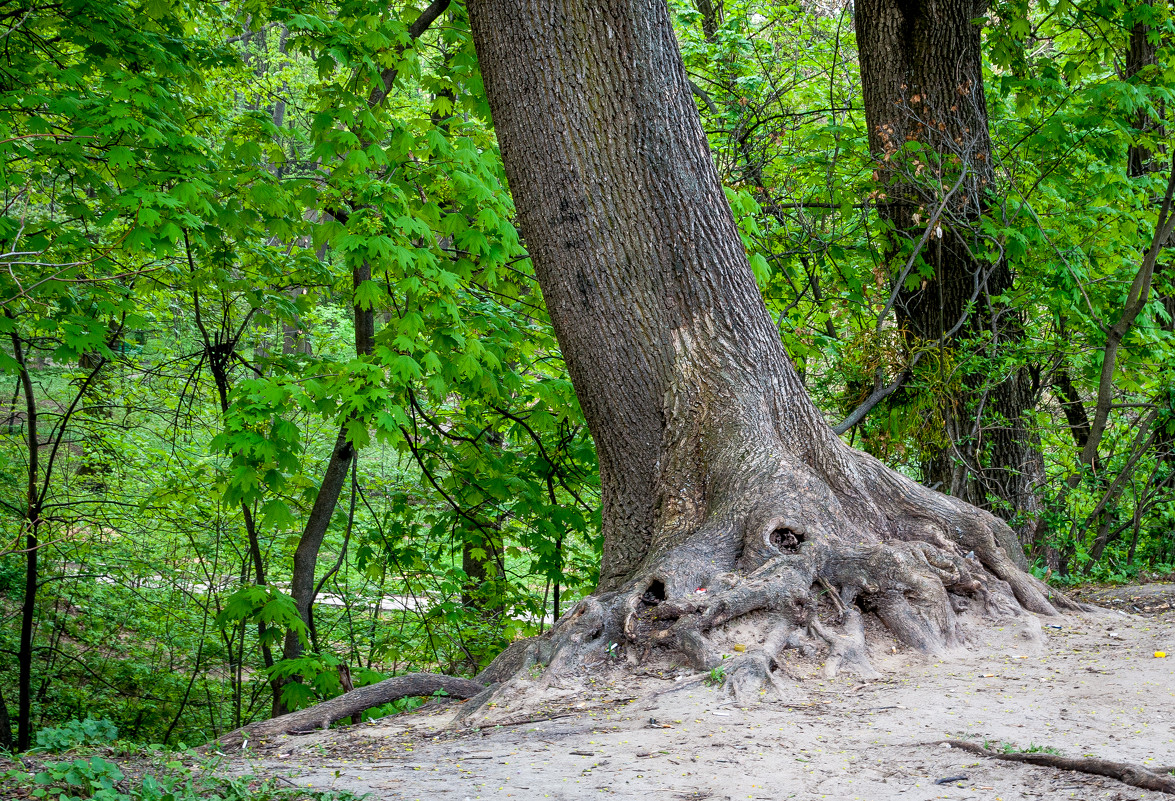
(359, 701)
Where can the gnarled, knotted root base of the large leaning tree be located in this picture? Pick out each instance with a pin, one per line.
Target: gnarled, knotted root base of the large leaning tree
(755, 583)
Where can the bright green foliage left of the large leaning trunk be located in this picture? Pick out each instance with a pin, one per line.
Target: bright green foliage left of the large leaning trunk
(190, 210)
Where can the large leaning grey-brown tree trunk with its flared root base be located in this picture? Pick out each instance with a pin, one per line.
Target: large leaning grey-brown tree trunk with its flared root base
(719, 474)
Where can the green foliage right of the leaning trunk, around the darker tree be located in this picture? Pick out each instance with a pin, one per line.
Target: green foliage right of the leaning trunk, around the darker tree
(780, 97)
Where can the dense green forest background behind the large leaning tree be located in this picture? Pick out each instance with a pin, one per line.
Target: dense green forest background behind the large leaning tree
(283, 408)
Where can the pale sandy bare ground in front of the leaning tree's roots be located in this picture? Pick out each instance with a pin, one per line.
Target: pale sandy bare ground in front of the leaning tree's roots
(1083, 686)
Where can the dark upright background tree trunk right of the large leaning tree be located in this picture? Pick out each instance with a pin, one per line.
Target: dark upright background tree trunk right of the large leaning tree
(922, 75)
